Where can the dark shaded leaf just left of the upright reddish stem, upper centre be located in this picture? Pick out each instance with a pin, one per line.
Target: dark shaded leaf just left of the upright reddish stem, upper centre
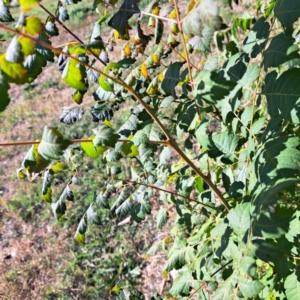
(171, 78)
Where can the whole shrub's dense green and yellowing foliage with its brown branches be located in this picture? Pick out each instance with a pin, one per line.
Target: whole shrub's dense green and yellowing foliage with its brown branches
(212, 100)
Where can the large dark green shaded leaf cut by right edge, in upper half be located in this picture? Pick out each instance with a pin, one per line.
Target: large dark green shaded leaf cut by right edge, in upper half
(283, 95)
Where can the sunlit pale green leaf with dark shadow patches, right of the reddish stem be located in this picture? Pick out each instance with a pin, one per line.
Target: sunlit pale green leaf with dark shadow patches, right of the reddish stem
(211, 87)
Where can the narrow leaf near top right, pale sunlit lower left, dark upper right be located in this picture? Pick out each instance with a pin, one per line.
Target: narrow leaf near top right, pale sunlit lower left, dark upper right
(257, 37)
